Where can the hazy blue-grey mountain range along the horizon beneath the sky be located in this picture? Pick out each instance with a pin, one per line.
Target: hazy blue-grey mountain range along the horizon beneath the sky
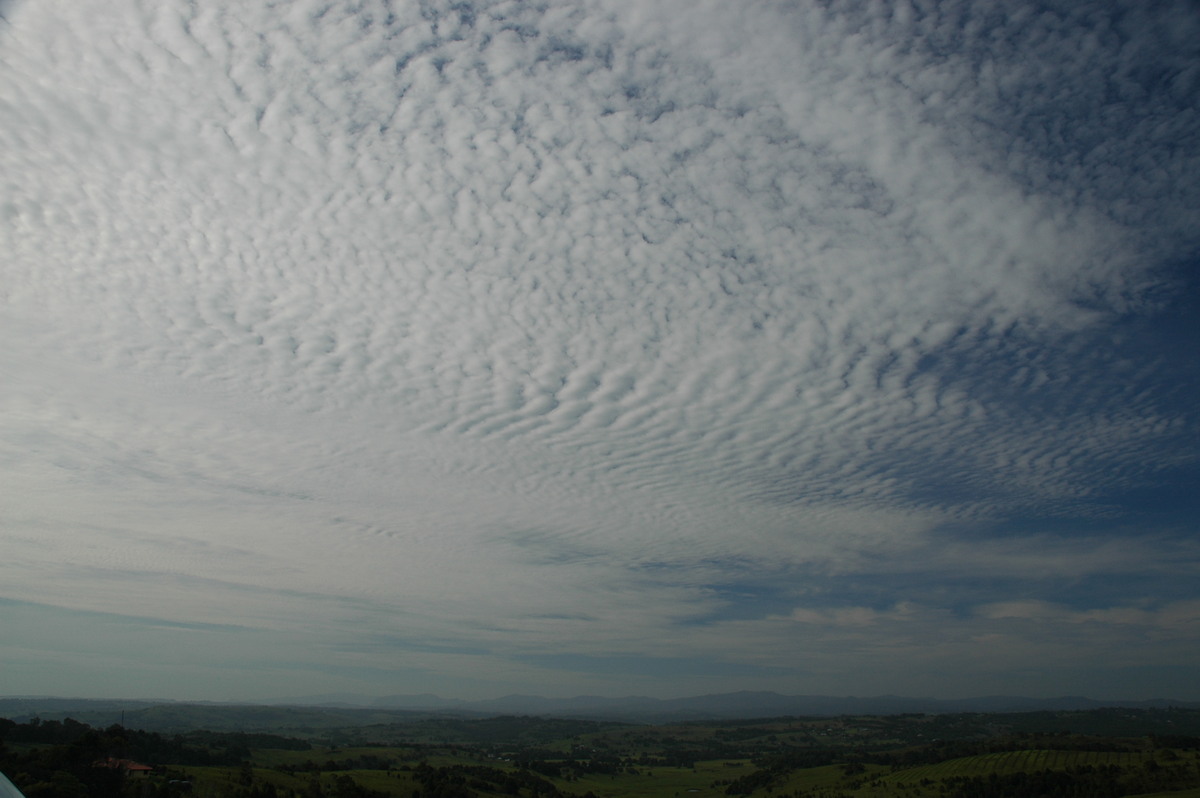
(349, 710)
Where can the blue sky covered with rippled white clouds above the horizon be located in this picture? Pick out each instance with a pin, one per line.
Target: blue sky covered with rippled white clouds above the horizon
(599, 347)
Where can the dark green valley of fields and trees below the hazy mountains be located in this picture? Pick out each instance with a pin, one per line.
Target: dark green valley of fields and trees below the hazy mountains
(1097, 754)
